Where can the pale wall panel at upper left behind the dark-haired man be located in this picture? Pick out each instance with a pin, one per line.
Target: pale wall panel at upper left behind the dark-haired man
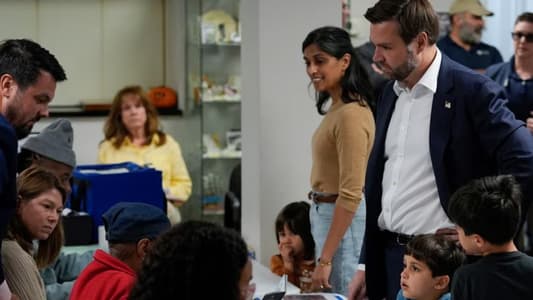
(103, 45)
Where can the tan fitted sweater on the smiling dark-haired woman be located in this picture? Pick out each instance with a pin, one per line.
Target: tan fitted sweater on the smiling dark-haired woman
(341, 146)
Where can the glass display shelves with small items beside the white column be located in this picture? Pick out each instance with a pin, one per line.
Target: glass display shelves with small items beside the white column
(213, 68)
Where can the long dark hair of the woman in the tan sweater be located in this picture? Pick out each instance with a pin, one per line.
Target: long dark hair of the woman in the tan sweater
(355, 84)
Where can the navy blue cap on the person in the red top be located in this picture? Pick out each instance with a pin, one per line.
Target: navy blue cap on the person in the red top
(129, 222)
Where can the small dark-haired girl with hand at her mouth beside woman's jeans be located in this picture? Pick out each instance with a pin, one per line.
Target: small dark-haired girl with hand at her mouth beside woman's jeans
(296, 245)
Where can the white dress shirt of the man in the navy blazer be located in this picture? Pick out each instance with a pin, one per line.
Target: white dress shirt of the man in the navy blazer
(410, 200)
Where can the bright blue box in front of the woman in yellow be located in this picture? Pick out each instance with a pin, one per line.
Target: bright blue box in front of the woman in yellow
(98, 187)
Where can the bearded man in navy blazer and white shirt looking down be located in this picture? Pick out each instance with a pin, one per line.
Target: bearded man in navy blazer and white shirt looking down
(438, 126)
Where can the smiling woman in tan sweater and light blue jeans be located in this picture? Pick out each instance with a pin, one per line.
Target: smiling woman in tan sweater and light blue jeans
(340, 149)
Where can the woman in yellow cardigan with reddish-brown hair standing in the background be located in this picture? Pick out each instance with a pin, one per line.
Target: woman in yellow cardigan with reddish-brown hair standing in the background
(132, 134)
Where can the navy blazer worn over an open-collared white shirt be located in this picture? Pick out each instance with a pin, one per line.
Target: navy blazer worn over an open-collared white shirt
(472, 134)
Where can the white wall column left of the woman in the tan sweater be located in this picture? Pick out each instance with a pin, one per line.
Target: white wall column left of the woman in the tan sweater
(278, 113)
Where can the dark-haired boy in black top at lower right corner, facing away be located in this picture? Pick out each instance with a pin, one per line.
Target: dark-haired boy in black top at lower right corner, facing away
(487, 214)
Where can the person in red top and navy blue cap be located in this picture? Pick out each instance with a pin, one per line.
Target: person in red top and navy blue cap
(131, 228)
